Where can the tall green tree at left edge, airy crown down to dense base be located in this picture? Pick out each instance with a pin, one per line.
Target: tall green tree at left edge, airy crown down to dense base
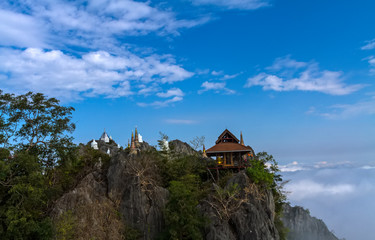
(34, 135)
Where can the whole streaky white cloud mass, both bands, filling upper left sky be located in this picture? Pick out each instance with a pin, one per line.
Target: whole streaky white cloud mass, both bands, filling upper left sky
(74, 49)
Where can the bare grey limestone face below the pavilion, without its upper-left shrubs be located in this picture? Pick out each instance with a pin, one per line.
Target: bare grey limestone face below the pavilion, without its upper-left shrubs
(253, 219)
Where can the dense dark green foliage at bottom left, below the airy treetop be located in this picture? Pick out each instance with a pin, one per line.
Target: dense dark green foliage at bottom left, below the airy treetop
(23, 198)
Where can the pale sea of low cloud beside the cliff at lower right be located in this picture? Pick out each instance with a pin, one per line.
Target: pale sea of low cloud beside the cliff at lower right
(335, 192)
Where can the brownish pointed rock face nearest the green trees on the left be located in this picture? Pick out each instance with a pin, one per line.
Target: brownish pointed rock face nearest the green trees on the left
(86, 212)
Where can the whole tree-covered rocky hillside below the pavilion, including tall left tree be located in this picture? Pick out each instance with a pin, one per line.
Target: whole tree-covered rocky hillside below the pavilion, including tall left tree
(53, 189)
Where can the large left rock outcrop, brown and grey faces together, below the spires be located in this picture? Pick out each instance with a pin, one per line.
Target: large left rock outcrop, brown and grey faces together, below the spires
(121, 188)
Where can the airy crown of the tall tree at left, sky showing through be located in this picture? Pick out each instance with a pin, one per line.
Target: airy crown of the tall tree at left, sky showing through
(36, 124)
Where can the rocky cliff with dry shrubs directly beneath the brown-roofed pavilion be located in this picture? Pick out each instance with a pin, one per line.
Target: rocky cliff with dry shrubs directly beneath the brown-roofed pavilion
(250, 216)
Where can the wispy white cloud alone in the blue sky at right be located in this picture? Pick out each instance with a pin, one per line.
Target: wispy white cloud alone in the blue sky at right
(307, 77)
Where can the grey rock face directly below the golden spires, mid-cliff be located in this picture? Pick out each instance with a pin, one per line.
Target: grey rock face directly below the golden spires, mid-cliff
(141, 204)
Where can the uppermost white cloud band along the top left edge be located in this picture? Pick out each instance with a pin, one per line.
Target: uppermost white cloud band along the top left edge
(95, 22)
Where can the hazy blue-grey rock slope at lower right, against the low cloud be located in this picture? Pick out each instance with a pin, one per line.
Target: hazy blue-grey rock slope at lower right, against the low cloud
(303, 226)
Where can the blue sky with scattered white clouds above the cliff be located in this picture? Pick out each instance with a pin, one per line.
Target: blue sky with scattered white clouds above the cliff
(296, 77)
